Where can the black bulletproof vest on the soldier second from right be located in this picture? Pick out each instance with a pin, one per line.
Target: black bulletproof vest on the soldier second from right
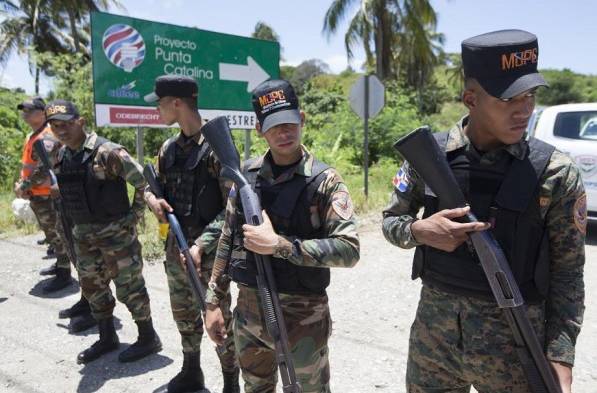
(288, 205)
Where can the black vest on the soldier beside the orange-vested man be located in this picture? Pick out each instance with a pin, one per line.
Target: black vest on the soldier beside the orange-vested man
(86, 198)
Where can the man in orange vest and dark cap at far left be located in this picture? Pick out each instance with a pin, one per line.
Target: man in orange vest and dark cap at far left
(34, 184)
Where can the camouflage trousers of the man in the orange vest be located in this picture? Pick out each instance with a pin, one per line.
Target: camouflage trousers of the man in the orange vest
(44, 210)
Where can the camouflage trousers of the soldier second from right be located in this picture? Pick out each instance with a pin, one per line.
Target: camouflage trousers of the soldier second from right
(309, 327)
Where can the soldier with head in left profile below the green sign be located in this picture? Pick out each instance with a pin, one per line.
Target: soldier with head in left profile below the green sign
(189, 173)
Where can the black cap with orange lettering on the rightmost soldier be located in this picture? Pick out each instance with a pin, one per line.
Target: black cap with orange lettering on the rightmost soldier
(503, 62)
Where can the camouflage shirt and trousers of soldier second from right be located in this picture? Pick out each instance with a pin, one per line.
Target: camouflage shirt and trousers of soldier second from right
(307, 317)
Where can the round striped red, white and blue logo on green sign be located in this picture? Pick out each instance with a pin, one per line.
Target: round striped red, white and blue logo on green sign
(123, 46)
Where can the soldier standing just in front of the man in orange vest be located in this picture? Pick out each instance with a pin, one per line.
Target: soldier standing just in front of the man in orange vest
(92, 176)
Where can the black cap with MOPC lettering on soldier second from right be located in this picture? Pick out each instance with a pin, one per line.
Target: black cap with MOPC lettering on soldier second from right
(275, 103)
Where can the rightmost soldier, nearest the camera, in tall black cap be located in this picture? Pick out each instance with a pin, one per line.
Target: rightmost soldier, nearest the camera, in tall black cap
(530, 195)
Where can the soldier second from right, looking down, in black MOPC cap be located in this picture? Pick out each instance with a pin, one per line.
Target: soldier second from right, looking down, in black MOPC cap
(309, 227)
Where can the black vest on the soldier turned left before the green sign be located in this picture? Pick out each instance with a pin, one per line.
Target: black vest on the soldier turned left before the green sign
(191, 191)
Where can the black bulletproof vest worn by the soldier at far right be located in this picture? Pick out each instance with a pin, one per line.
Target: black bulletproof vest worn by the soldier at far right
(505, 194)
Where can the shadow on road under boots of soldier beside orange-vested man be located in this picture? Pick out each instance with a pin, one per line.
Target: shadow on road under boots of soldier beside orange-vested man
(95, 374)
